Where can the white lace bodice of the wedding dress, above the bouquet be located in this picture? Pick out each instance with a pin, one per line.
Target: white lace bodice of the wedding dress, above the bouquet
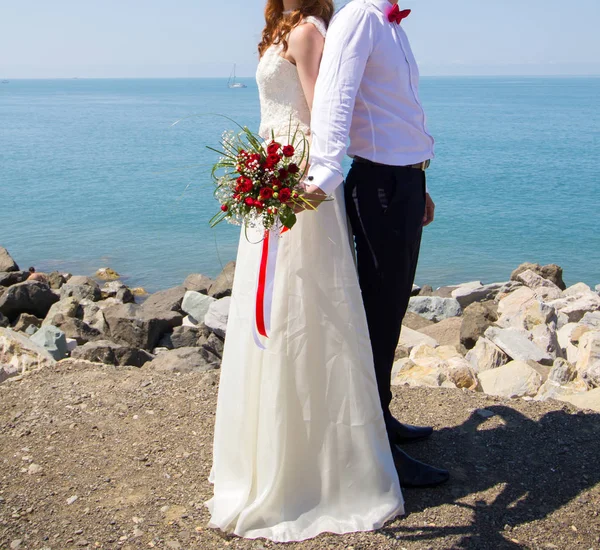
(281, 95)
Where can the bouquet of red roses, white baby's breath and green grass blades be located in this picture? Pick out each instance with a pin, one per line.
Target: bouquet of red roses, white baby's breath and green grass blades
(258, 181)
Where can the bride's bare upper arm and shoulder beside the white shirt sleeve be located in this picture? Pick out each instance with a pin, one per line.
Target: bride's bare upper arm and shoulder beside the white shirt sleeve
(305, 49)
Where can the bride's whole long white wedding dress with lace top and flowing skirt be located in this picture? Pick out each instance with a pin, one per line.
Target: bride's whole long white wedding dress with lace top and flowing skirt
(300, 444)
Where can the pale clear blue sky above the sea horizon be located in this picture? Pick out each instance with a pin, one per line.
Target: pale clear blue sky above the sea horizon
(195, 38)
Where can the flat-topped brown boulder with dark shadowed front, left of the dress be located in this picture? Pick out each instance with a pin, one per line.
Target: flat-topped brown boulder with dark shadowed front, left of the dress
(139, 326)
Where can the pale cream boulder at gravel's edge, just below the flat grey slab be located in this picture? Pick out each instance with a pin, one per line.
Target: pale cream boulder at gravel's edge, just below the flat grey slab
(515, 379)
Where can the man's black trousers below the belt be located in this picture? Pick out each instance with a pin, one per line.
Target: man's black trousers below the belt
(386, 205)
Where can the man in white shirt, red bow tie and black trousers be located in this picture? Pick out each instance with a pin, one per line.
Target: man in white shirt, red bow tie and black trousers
(367, 92)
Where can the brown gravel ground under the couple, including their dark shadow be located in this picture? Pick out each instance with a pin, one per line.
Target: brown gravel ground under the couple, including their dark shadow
(97, 457)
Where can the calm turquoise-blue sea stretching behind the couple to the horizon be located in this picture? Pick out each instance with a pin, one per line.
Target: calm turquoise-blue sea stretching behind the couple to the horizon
(93, 173)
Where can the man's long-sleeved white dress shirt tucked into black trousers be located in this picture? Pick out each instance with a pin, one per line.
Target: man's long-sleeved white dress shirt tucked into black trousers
(367, 91)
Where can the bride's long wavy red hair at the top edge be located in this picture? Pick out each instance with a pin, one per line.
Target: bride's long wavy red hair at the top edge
(279, 25)
